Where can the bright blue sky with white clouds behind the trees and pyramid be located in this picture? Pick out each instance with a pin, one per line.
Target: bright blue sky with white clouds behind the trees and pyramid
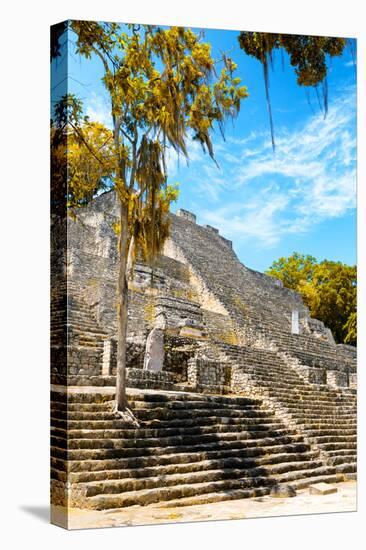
(300, 198)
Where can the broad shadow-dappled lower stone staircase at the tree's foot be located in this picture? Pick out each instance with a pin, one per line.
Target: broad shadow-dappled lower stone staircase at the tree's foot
(188, 449)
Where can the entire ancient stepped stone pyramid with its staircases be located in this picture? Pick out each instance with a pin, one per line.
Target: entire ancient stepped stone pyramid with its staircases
(238, 392)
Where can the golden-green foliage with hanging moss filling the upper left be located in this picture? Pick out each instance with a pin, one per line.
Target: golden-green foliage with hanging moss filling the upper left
(163, 88)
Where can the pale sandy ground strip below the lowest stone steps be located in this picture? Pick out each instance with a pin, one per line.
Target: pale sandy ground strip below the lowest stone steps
(344, 500)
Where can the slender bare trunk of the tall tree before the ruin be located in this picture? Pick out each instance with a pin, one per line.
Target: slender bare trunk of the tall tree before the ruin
(122, 308)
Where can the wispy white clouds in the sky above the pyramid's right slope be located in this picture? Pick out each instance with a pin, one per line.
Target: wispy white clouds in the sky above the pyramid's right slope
(310, 178)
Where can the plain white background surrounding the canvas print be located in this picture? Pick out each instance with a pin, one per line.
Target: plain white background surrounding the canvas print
(25, 270)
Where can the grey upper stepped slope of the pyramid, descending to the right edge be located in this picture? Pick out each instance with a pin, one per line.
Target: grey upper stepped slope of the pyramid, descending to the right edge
(258, 306)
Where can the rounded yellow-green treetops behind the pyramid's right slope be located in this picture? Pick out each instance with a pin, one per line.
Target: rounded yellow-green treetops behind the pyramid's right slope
(329, 289)
